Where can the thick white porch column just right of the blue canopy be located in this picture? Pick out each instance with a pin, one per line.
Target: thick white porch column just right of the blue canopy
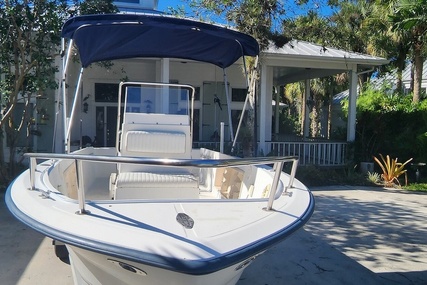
(265, 110)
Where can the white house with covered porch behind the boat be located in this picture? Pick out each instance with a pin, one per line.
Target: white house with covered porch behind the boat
(296, 61)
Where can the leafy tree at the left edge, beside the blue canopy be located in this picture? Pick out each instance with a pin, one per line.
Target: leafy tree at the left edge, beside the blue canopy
(30, 41)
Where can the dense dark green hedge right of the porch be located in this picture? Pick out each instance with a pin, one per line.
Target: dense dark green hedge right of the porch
(389, 123)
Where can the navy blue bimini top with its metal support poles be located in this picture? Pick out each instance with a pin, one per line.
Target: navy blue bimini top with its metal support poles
(121, 36)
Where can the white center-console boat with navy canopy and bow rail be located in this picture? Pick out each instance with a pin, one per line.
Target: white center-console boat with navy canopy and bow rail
(153, 209)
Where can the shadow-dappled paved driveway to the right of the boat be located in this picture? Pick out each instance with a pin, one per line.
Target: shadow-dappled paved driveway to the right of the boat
(355, 236)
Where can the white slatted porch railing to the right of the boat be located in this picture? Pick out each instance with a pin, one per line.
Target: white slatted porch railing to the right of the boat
(312, 153)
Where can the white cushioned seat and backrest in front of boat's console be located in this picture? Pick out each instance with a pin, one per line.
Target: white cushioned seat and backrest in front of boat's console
(154, 182)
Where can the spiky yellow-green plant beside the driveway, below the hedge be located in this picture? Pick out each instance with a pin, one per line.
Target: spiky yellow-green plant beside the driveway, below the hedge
(391, 169)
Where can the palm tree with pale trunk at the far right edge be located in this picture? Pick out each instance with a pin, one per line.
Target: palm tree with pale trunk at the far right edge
(410, 18)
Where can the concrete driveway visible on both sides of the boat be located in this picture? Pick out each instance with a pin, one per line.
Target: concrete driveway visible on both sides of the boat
(355, 236)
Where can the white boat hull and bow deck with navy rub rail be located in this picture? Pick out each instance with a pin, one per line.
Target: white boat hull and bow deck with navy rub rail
(142, 241)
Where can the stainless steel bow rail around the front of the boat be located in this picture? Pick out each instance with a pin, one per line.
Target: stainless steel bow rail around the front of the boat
(196, 163)
